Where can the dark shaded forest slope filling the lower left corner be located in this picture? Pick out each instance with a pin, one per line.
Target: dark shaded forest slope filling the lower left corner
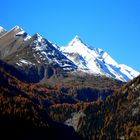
(22, 116)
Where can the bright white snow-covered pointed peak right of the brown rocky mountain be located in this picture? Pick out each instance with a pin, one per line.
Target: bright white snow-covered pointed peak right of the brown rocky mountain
(96, 61)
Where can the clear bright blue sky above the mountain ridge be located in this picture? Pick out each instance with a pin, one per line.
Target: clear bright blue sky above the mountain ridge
(113, 25)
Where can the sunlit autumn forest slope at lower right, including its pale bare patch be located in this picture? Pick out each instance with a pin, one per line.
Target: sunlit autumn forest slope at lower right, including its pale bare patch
(116, 118)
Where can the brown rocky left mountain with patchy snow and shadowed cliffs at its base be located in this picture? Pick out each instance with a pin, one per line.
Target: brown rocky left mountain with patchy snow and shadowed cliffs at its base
(34, 56)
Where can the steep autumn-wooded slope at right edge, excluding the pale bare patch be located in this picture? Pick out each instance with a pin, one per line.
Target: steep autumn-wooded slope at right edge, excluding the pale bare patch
(116, 118)
